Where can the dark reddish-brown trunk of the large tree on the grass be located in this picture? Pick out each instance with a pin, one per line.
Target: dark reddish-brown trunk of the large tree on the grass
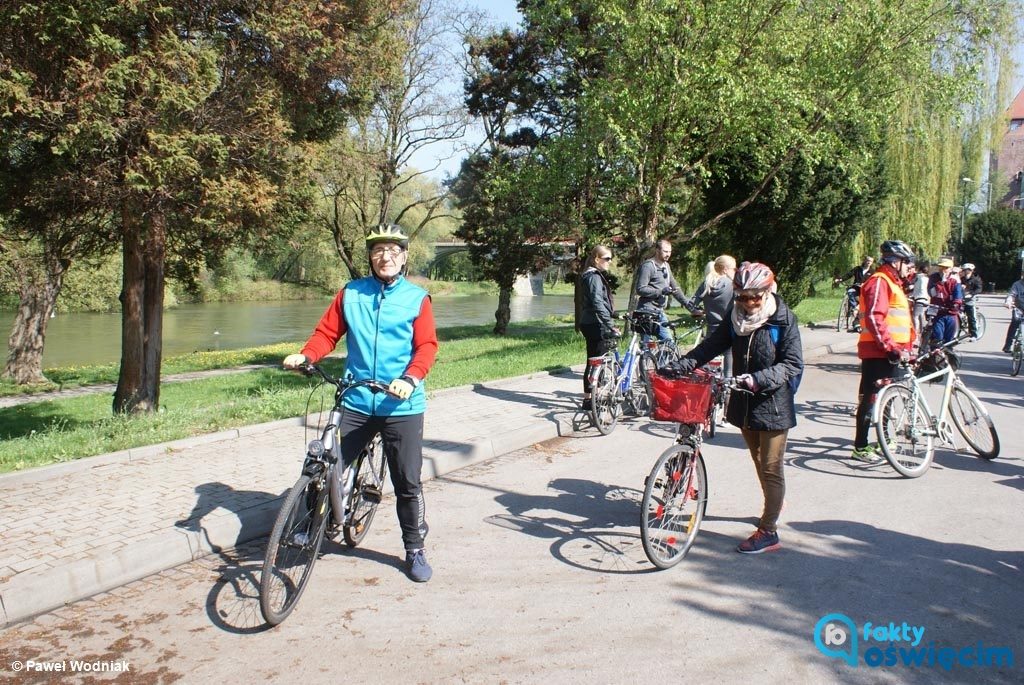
(142, 314)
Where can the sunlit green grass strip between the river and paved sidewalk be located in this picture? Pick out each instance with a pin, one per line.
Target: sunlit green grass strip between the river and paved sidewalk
(47, 433)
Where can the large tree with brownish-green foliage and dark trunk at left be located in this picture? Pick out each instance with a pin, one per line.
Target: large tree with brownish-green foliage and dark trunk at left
(190, 119)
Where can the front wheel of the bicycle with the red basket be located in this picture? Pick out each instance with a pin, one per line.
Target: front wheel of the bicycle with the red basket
(674, 503)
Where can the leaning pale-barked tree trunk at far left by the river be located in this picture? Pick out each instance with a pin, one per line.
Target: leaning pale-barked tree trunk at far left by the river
(37, 299)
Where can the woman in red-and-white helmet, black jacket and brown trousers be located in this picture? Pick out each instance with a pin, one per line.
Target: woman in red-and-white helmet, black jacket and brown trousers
(761, 332)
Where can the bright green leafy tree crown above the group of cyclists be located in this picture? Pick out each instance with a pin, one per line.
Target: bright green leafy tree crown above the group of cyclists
(677, 90)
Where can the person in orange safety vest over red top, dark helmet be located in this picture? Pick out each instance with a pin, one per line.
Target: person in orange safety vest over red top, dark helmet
(886, 338)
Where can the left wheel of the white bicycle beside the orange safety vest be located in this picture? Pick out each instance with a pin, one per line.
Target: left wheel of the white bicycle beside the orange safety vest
(905, 432)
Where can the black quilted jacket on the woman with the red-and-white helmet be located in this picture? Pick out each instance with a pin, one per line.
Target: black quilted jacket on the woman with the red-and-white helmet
(773, 407)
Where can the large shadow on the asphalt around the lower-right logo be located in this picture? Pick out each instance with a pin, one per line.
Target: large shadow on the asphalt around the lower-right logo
(960, 592)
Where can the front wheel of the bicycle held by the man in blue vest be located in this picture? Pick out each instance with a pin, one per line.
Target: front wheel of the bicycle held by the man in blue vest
(300, 528)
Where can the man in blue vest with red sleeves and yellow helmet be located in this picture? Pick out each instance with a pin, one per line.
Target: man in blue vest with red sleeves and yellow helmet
(392, 336)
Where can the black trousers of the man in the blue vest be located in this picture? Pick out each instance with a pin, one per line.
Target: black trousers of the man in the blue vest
(403, 438)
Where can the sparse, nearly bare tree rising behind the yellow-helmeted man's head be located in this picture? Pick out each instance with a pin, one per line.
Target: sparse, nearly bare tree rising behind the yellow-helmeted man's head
(368, 176)
